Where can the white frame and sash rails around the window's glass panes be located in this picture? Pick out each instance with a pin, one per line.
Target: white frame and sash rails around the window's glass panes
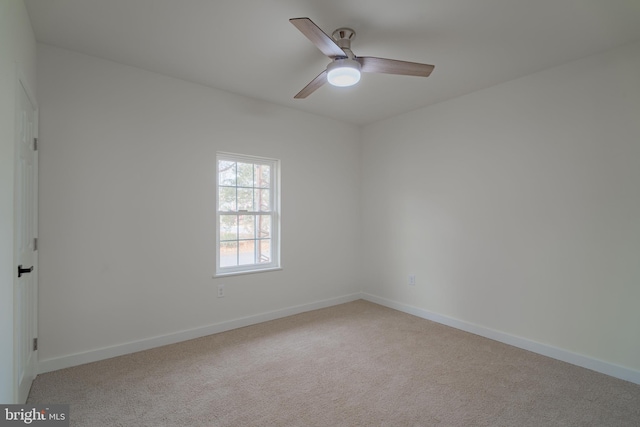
(274, 203)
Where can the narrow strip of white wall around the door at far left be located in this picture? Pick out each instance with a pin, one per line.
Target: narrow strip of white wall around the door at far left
(17, 55)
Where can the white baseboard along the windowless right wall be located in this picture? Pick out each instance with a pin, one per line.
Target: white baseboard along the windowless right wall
(606, 368)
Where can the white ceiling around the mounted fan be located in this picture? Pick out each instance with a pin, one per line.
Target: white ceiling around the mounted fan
(248, 46)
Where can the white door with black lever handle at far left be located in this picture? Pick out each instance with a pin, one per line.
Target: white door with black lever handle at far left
(25, 230)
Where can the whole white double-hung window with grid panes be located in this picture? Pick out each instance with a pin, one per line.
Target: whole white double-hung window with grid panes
(248, 217)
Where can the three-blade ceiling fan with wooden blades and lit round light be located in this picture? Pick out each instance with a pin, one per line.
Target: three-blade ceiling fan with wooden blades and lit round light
(345, 67)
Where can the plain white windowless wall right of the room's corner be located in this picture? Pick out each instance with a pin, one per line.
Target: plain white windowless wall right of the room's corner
(517, 208)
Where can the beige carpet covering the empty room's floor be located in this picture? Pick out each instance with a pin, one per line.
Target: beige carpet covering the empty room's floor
(356, 364)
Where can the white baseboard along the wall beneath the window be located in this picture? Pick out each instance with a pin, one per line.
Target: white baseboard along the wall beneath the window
(68, 361)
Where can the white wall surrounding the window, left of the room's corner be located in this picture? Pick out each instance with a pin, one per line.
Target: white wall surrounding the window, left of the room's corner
(127, 207)
